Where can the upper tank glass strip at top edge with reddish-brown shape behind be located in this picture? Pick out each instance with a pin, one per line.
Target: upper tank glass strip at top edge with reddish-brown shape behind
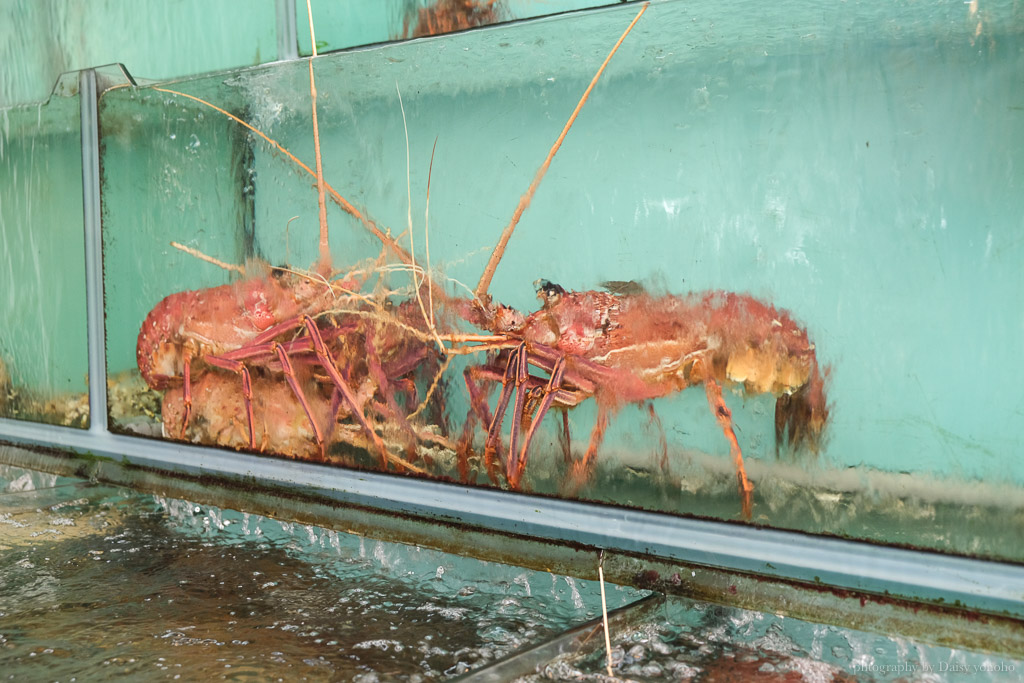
(342, 25)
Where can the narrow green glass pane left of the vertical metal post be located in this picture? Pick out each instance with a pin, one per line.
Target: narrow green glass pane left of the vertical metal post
(44, 357)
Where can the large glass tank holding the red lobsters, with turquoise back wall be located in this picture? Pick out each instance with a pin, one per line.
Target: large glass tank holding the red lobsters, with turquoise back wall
(771, 276)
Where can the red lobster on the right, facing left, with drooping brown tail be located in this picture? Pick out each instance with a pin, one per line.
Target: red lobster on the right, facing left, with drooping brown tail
(632, 347)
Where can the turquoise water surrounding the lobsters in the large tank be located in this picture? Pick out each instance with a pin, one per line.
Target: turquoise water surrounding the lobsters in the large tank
(852, 167)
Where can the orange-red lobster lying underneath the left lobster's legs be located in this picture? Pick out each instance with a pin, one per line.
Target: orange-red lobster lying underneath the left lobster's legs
(378, 362)
